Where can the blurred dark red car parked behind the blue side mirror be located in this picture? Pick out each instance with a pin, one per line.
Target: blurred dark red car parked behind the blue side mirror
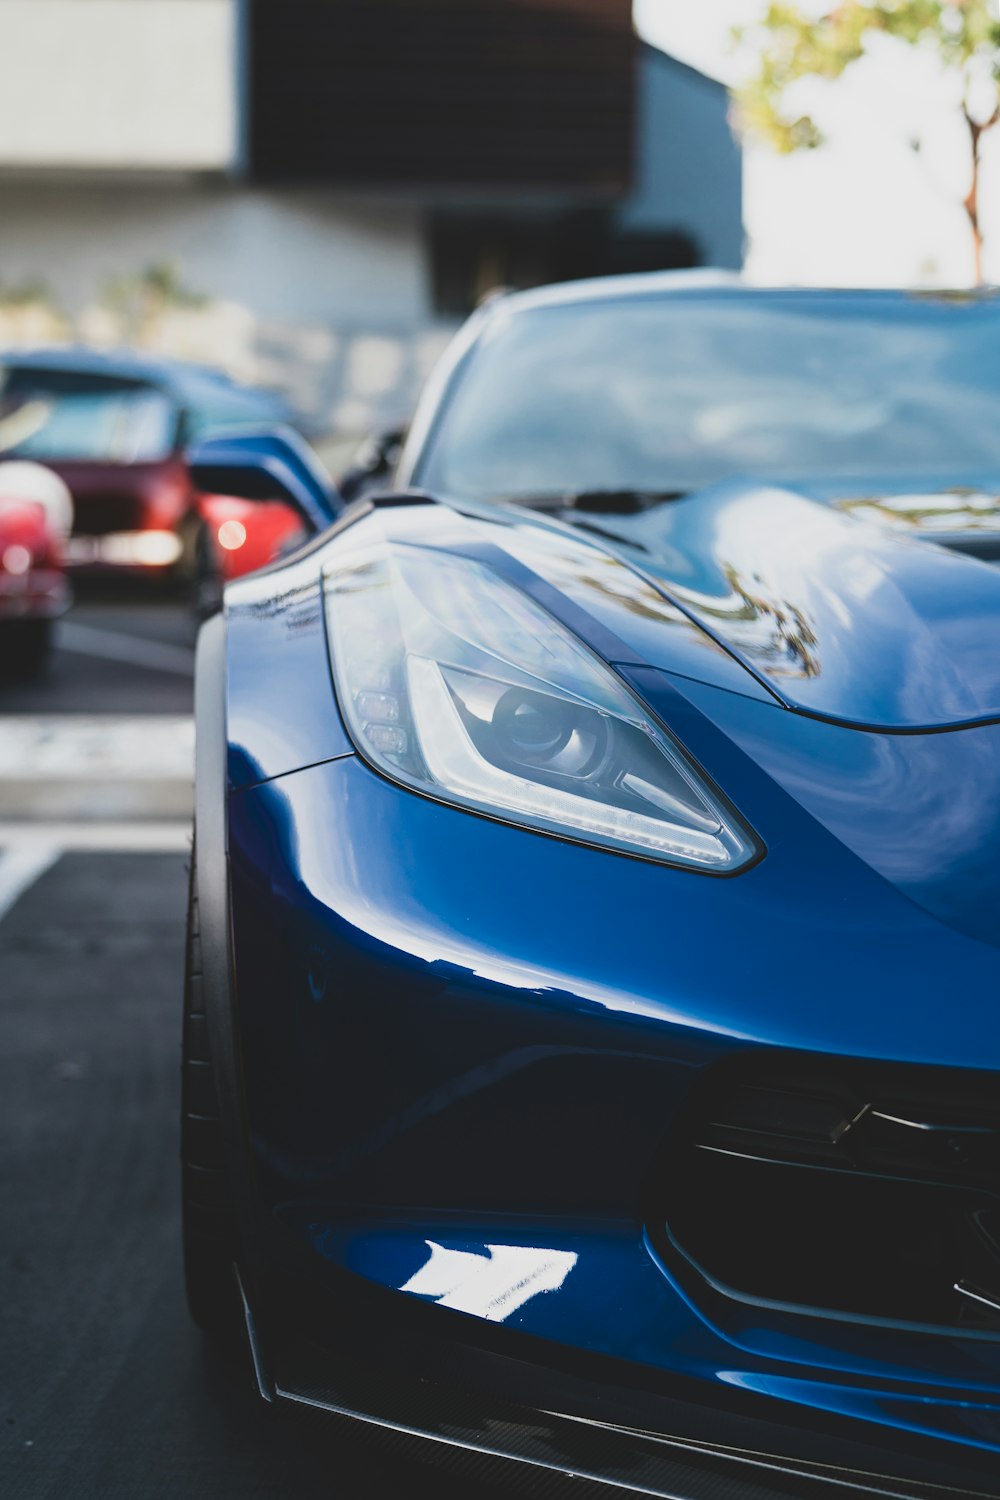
(115, 427)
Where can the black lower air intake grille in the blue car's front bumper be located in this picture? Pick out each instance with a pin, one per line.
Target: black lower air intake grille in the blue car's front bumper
(861, 1192)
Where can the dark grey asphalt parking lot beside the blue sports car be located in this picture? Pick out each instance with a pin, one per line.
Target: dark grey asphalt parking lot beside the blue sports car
(107, 1390)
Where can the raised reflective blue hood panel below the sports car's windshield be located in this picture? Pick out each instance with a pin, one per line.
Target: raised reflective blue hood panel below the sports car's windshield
(836, 617)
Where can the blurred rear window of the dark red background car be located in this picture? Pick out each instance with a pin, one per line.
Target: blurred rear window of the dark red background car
(59, 415)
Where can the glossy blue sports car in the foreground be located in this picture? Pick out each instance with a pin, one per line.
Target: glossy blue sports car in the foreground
(593, 1028)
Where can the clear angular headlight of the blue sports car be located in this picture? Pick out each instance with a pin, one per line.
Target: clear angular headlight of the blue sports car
(460, 686)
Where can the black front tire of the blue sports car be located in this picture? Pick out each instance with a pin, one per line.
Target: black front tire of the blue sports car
(209, 1222)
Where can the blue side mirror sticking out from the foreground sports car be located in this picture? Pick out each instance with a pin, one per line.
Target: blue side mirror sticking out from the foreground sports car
(266, 464)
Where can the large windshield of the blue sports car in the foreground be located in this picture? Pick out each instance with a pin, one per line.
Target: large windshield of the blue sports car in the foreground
(669, 394)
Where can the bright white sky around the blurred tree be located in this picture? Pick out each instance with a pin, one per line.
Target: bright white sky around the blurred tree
(864, 209)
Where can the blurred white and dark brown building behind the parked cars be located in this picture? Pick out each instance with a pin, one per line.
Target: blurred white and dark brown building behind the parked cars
(313, 193)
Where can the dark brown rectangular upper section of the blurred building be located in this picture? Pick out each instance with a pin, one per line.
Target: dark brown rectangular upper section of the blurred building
(485, 94)
